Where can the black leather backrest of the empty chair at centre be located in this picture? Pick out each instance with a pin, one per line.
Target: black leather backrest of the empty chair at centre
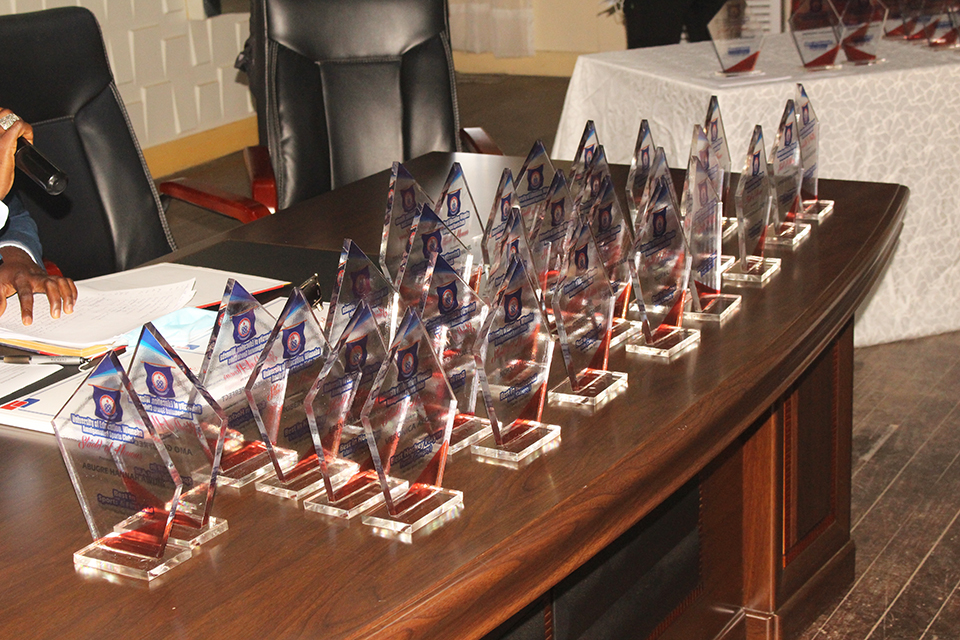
(346, 87)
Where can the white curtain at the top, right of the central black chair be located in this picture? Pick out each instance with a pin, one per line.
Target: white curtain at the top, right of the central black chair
(504, 27)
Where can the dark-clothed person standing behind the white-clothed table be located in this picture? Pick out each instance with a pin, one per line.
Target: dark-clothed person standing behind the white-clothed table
(652, 23)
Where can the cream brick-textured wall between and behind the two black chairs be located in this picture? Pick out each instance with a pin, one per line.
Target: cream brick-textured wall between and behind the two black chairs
(175, 74)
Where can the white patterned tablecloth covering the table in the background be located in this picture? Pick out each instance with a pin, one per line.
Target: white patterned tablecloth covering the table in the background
(897, 121)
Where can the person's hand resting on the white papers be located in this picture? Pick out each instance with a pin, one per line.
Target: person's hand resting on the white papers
(20, 275)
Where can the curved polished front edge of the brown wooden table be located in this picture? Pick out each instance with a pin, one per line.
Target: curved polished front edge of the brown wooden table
(626, 476)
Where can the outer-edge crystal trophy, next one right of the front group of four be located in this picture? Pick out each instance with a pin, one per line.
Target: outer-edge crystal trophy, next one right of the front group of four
(513, 359)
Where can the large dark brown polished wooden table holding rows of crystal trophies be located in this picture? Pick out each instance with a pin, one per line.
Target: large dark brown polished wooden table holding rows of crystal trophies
(734, 459)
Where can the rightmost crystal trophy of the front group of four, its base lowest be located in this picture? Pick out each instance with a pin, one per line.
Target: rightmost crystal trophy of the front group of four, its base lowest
(407, 420)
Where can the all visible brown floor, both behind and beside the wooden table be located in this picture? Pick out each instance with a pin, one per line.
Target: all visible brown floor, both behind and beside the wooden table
(906, 454)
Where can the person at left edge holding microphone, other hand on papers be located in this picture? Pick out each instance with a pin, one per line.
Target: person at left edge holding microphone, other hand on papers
(21, 270)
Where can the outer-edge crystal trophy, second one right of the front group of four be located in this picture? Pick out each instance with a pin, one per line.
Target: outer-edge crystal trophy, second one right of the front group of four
(583, 307)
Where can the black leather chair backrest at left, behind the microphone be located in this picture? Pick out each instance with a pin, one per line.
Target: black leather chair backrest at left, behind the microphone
(57, 78)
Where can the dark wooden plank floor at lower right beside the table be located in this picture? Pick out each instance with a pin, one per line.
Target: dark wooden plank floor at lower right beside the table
(906, 496)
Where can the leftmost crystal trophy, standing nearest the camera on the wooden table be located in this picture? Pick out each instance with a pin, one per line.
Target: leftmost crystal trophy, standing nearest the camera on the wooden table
(128, 486)
